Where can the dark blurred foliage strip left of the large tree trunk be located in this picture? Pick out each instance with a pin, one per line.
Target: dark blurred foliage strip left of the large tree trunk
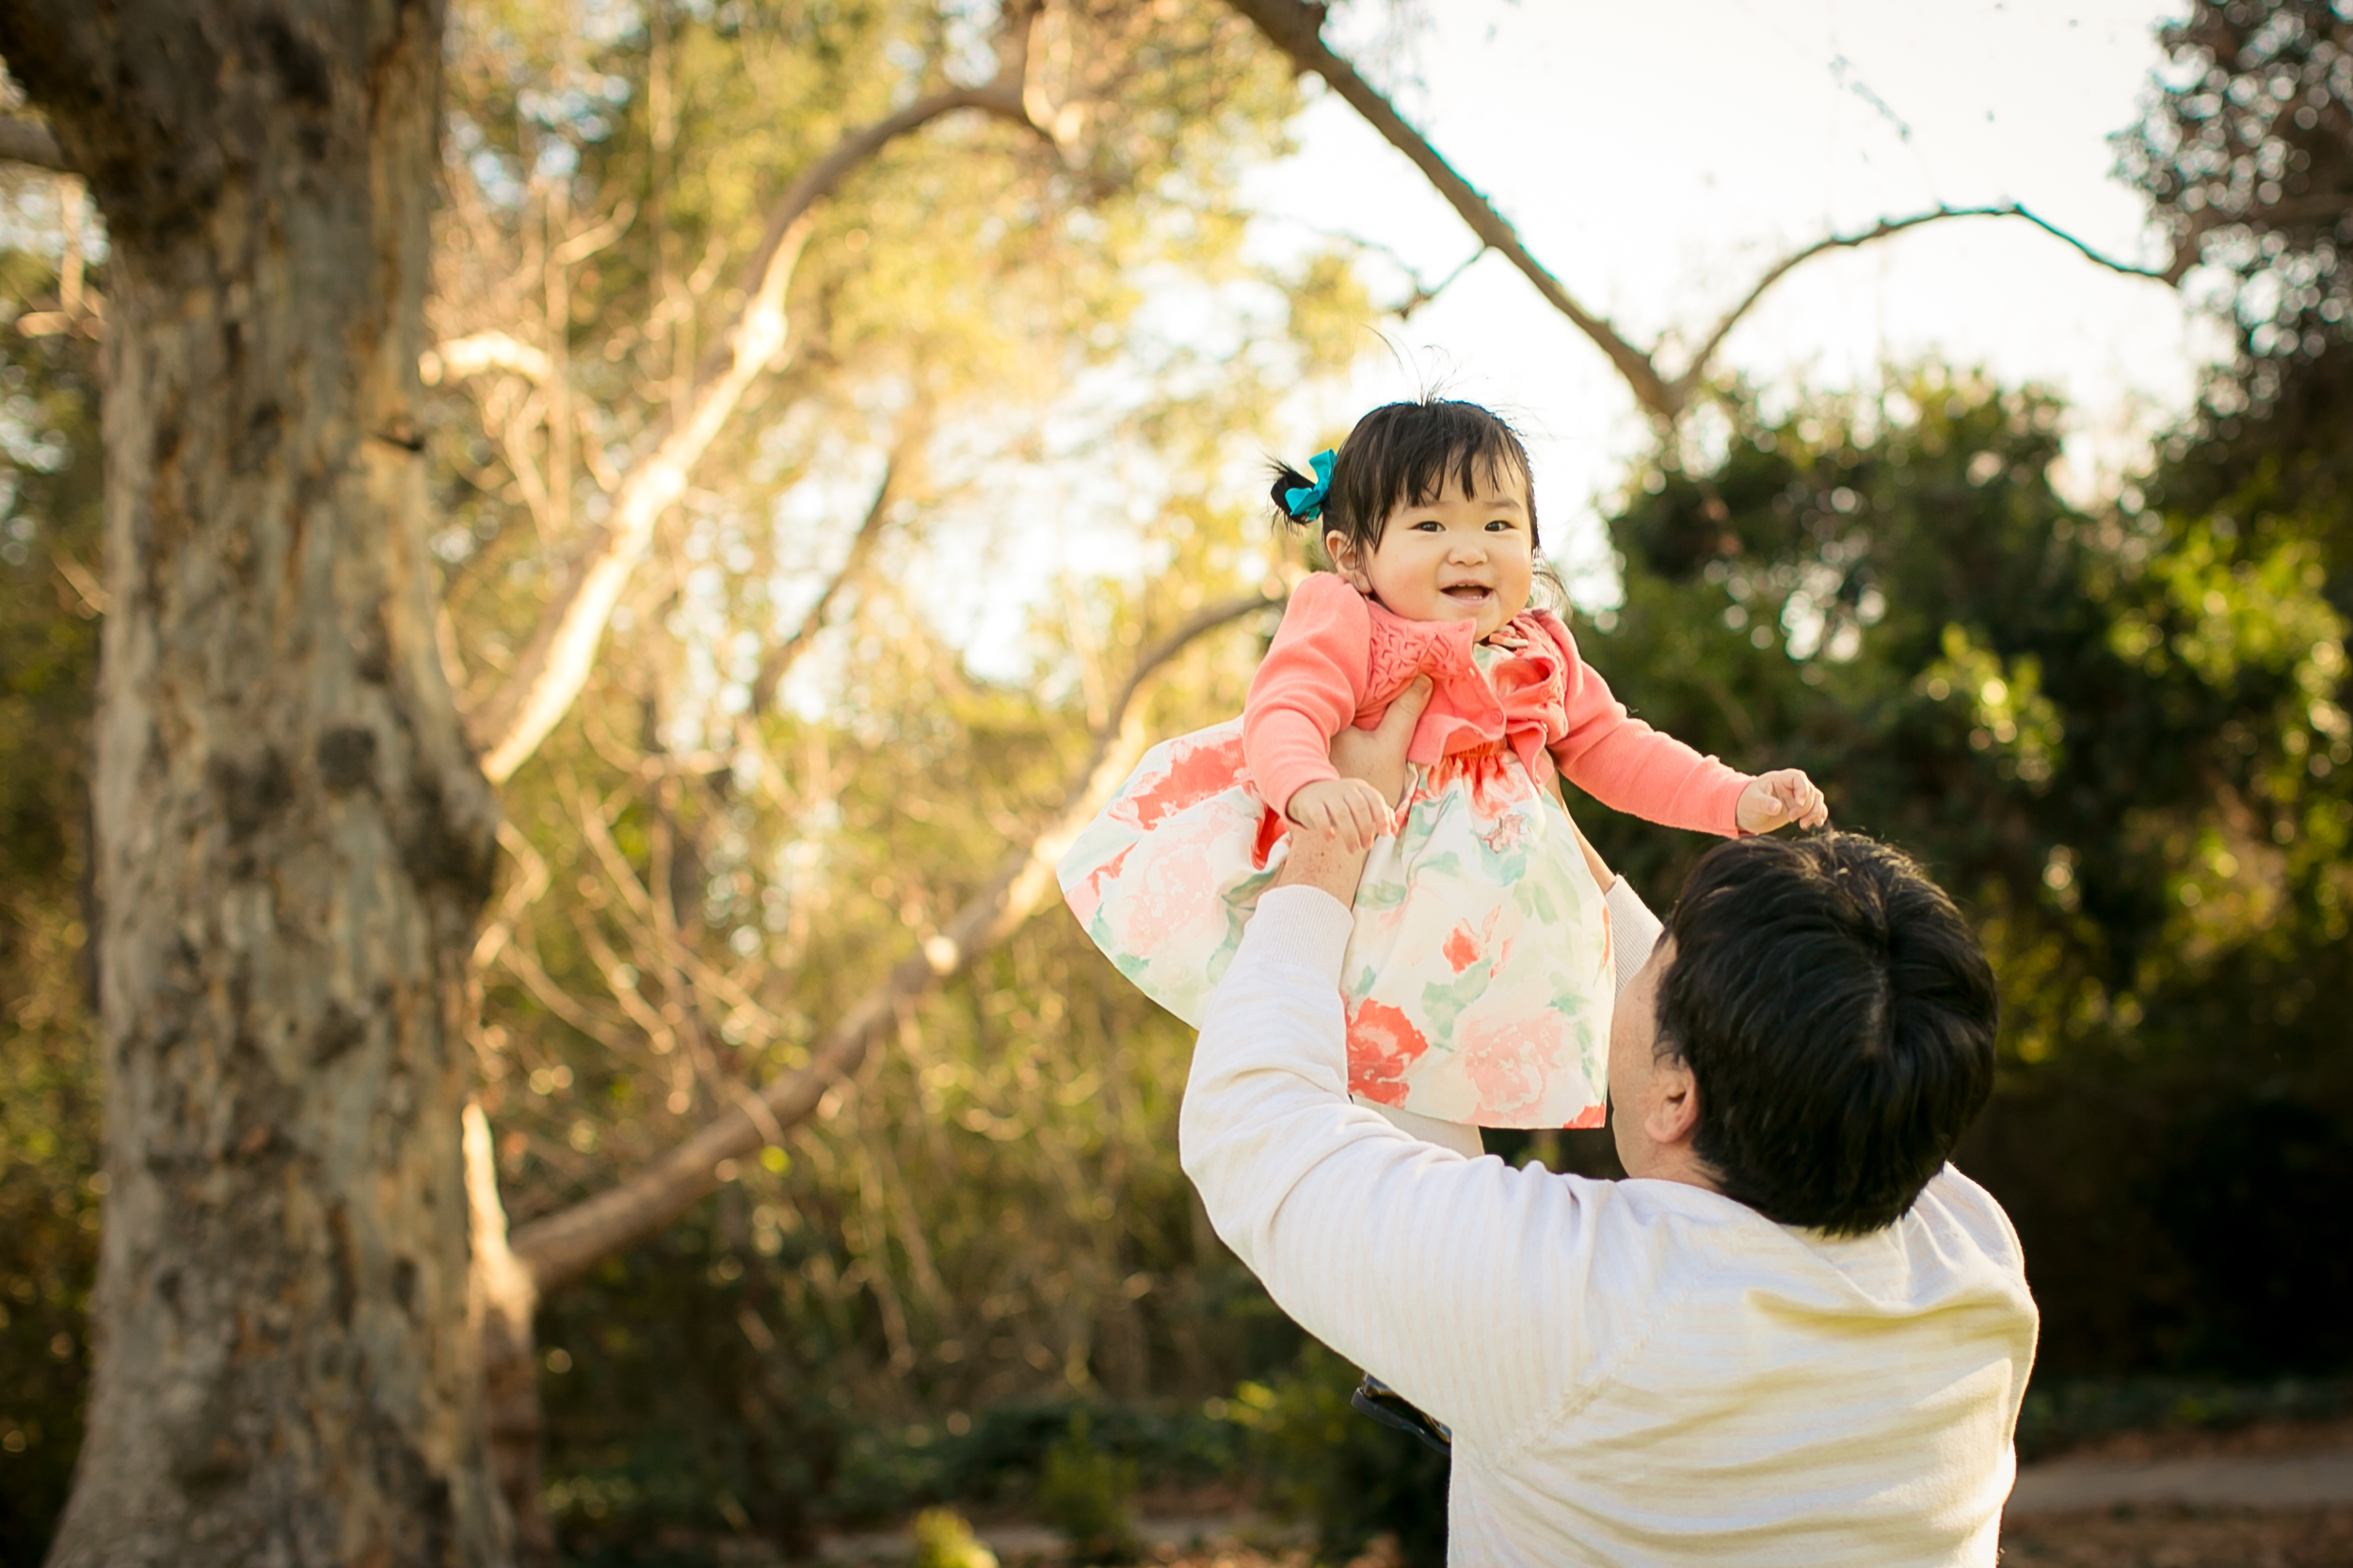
(51, 1178)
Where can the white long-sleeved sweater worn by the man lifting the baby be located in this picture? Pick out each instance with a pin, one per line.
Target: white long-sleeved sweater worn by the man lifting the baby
(1634, 1371)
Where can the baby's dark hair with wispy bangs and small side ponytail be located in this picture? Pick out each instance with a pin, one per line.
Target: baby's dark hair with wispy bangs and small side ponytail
(1404, 456)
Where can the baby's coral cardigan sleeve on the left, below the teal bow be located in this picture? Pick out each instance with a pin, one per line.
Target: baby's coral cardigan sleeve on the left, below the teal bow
(1307, 689)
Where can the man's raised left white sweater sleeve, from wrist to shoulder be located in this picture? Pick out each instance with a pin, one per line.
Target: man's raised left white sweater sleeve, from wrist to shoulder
(1462, 1284)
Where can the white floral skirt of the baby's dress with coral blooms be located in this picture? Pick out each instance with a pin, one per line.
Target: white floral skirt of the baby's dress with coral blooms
(1477, 981)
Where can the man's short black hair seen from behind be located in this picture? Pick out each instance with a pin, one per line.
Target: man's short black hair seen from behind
(1837, 1016)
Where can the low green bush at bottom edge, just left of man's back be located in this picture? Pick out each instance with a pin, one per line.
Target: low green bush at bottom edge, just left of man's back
(1324, 1461)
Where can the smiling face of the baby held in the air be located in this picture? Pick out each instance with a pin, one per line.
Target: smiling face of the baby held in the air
(1453, 559)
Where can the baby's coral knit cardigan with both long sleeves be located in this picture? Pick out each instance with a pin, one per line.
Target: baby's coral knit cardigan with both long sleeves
(1342, 658)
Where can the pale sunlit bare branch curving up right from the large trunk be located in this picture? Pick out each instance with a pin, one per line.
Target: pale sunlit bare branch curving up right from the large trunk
(554, 665)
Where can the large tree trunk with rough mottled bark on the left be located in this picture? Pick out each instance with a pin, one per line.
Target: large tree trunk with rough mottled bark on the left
(293, 839)
